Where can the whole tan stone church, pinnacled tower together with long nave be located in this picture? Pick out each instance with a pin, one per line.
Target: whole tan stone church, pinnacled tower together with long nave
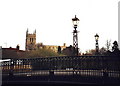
(32, 45)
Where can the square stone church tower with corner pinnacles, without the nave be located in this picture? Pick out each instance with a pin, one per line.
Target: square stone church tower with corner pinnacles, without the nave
(30, 41)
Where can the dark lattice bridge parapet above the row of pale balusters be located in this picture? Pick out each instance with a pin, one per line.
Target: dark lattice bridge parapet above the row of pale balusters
(64, 62)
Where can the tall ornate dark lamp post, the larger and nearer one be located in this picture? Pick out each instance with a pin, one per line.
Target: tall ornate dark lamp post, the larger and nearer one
(75, 36)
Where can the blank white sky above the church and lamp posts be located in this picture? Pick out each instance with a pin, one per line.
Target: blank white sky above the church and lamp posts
(52, 21)
